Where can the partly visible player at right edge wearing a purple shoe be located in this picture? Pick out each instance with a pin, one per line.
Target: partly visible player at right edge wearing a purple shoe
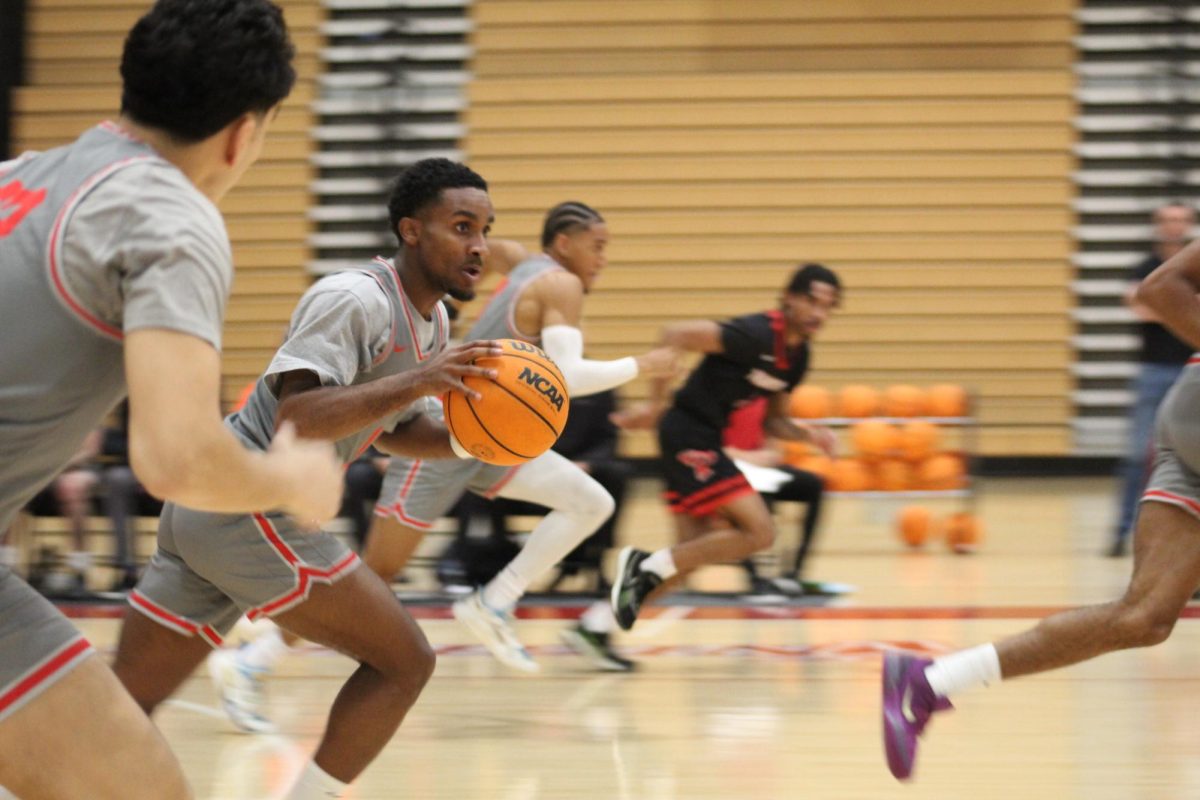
(1166, 558)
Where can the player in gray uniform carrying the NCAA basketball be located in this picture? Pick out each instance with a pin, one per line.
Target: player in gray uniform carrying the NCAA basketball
(364, 348)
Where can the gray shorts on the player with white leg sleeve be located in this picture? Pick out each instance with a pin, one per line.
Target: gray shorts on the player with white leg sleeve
(418, 491)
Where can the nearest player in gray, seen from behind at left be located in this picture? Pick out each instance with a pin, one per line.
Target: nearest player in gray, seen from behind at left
(115, 276)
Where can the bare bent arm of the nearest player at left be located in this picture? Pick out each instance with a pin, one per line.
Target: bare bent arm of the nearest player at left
(182, 452)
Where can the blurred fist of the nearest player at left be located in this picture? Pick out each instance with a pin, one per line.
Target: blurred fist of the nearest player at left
(315, 474)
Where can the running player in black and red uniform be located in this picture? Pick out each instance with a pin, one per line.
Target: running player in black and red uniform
(719, 518)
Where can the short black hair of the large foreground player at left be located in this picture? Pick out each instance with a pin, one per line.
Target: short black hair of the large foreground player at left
(191, 68)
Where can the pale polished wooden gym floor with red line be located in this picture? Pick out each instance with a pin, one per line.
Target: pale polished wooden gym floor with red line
(769, 701)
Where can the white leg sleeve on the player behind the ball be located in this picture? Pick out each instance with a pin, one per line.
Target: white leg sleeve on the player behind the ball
(580, 506)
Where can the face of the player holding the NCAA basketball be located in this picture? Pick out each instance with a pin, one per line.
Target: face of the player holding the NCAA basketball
(453, 240)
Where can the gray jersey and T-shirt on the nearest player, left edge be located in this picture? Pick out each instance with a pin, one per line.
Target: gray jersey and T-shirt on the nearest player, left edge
(98, 239)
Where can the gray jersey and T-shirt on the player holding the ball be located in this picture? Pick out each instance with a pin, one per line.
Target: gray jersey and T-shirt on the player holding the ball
(351, 328)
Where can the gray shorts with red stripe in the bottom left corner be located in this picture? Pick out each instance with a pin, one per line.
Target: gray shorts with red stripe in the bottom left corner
(39, 646)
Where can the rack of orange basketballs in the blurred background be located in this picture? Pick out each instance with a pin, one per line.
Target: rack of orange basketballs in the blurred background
(898, 443)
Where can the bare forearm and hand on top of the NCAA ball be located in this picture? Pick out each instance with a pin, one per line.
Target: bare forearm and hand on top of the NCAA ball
(321, 412)
